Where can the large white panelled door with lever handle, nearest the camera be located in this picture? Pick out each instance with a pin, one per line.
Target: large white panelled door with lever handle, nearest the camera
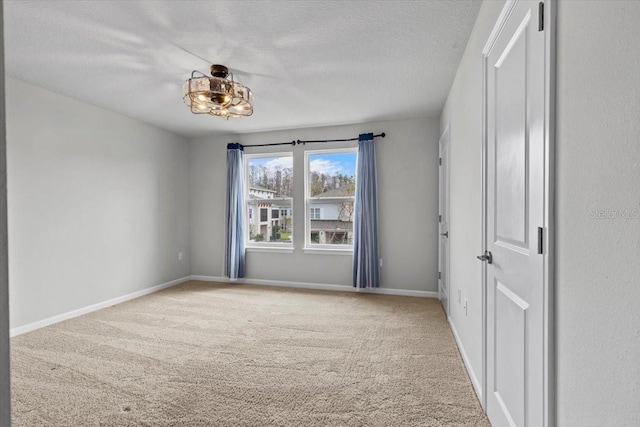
(515, 102)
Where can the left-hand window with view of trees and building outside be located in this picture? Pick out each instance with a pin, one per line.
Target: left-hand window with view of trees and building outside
(269, 179)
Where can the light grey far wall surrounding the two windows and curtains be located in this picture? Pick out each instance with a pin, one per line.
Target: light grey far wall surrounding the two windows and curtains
(407, 179)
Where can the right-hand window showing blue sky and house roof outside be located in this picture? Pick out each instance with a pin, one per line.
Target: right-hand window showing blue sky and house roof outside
(330, 192)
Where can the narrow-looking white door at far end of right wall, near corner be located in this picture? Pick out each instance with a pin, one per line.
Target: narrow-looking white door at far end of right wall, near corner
(443, 220)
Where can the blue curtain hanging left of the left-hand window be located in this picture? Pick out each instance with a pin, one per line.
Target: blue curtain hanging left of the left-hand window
(235, 233)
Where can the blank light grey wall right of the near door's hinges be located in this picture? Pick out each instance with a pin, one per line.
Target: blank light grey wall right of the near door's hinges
(598, 170)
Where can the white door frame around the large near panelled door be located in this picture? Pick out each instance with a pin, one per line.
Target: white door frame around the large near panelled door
(550, 7)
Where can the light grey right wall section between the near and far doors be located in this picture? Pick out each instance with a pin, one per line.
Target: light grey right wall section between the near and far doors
(463, 113)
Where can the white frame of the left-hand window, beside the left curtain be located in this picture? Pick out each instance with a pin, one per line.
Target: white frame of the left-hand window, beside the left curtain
(267, 245)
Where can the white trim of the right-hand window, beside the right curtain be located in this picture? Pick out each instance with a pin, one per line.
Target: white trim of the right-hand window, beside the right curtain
(314, 248)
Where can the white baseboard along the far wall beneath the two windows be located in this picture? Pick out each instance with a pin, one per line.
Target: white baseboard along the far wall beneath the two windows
(319, 286)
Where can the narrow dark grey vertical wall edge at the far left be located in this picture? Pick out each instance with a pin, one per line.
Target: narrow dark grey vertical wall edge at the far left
(5, 374)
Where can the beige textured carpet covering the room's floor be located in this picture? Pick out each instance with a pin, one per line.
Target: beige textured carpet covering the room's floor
(203, 354)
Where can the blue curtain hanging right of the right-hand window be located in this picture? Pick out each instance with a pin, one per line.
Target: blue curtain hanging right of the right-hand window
(366, 270)
